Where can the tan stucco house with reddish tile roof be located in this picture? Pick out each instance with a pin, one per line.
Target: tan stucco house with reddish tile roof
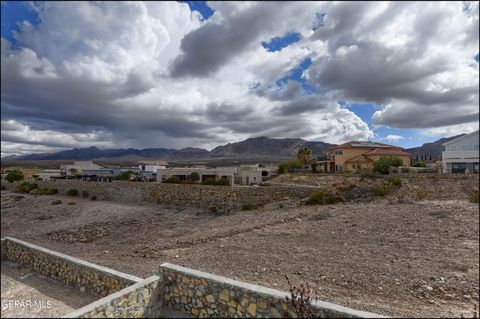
(357, 155)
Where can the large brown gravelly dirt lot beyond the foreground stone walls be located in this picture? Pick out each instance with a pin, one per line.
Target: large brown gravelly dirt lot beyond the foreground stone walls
(415, 259)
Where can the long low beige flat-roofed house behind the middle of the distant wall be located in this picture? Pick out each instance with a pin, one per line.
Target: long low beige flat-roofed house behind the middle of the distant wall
(205, 173)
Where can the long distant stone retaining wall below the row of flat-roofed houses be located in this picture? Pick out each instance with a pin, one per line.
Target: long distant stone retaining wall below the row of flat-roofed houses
(204, 196)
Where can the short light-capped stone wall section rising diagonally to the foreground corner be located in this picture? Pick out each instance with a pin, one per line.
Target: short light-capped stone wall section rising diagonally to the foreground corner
(136, 301)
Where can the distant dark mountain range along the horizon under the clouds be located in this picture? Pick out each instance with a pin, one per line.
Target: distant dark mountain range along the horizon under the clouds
(252, 149)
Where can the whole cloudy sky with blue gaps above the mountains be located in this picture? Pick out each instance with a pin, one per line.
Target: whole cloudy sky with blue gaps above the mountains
(203, 74)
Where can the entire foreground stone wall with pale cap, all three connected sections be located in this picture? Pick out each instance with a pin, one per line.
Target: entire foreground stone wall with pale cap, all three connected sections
(191, 292)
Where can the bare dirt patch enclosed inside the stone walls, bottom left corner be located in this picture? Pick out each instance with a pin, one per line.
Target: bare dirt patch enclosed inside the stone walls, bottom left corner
(37, 296)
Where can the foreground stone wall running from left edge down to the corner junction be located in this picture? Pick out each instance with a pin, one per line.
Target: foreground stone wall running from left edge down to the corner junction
(95, 279)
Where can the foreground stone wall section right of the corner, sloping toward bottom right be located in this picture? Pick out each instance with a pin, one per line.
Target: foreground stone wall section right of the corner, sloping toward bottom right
(205, 295)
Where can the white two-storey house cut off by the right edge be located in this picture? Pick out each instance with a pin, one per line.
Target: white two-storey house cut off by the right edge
(461, 155)
